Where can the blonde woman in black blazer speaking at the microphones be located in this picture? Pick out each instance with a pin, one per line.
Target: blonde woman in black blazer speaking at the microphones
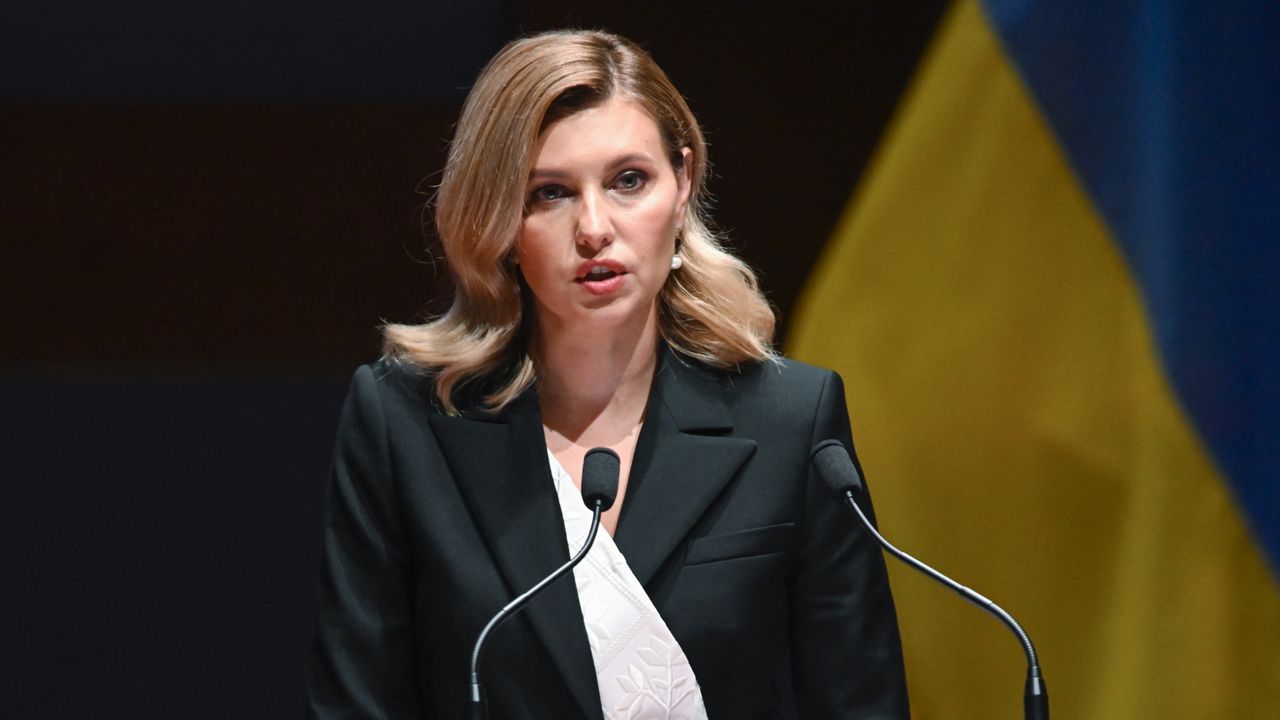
(595, 308)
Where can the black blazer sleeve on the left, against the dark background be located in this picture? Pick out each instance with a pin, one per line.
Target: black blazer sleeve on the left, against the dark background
(363, 662)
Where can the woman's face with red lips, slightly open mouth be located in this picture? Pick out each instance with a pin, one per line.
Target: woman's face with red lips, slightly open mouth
(602, 207)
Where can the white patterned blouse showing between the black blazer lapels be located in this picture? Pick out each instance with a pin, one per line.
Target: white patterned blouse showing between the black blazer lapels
(642, 671)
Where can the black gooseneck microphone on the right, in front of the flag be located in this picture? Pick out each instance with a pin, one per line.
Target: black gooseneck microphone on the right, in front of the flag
(836, 468)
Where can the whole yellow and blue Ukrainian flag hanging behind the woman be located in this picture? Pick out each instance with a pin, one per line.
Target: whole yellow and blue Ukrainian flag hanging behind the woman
(1055, 300)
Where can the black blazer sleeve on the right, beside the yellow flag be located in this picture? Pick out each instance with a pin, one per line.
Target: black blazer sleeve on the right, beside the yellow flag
(847, 654)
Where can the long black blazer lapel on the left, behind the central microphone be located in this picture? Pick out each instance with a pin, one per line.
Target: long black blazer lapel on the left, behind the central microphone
(501, 467)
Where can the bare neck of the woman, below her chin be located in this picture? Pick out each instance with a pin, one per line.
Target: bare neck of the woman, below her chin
(592, 379)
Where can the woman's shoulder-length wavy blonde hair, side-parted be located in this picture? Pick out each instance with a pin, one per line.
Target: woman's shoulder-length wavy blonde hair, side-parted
(712, 309)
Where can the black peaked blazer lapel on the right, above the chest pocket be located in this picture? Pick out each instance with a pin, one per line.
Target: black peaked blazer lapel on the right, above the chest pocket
(684, 461)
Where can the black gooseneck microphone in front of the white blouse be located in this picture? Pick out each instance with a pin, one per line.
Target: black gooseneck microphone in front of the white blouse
(601, 470)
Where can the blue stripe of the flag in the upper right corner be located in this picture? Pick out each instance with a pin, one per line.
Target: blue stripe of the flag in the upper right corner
(1171, 115)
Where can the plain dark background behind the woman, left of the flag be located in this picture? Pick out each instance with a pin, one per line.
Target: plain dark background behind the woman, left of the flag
(205, 212)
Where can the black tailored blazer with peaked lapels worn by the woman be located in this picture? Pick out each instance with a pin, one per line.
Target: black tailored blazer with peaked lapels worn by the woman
(436, 522)
